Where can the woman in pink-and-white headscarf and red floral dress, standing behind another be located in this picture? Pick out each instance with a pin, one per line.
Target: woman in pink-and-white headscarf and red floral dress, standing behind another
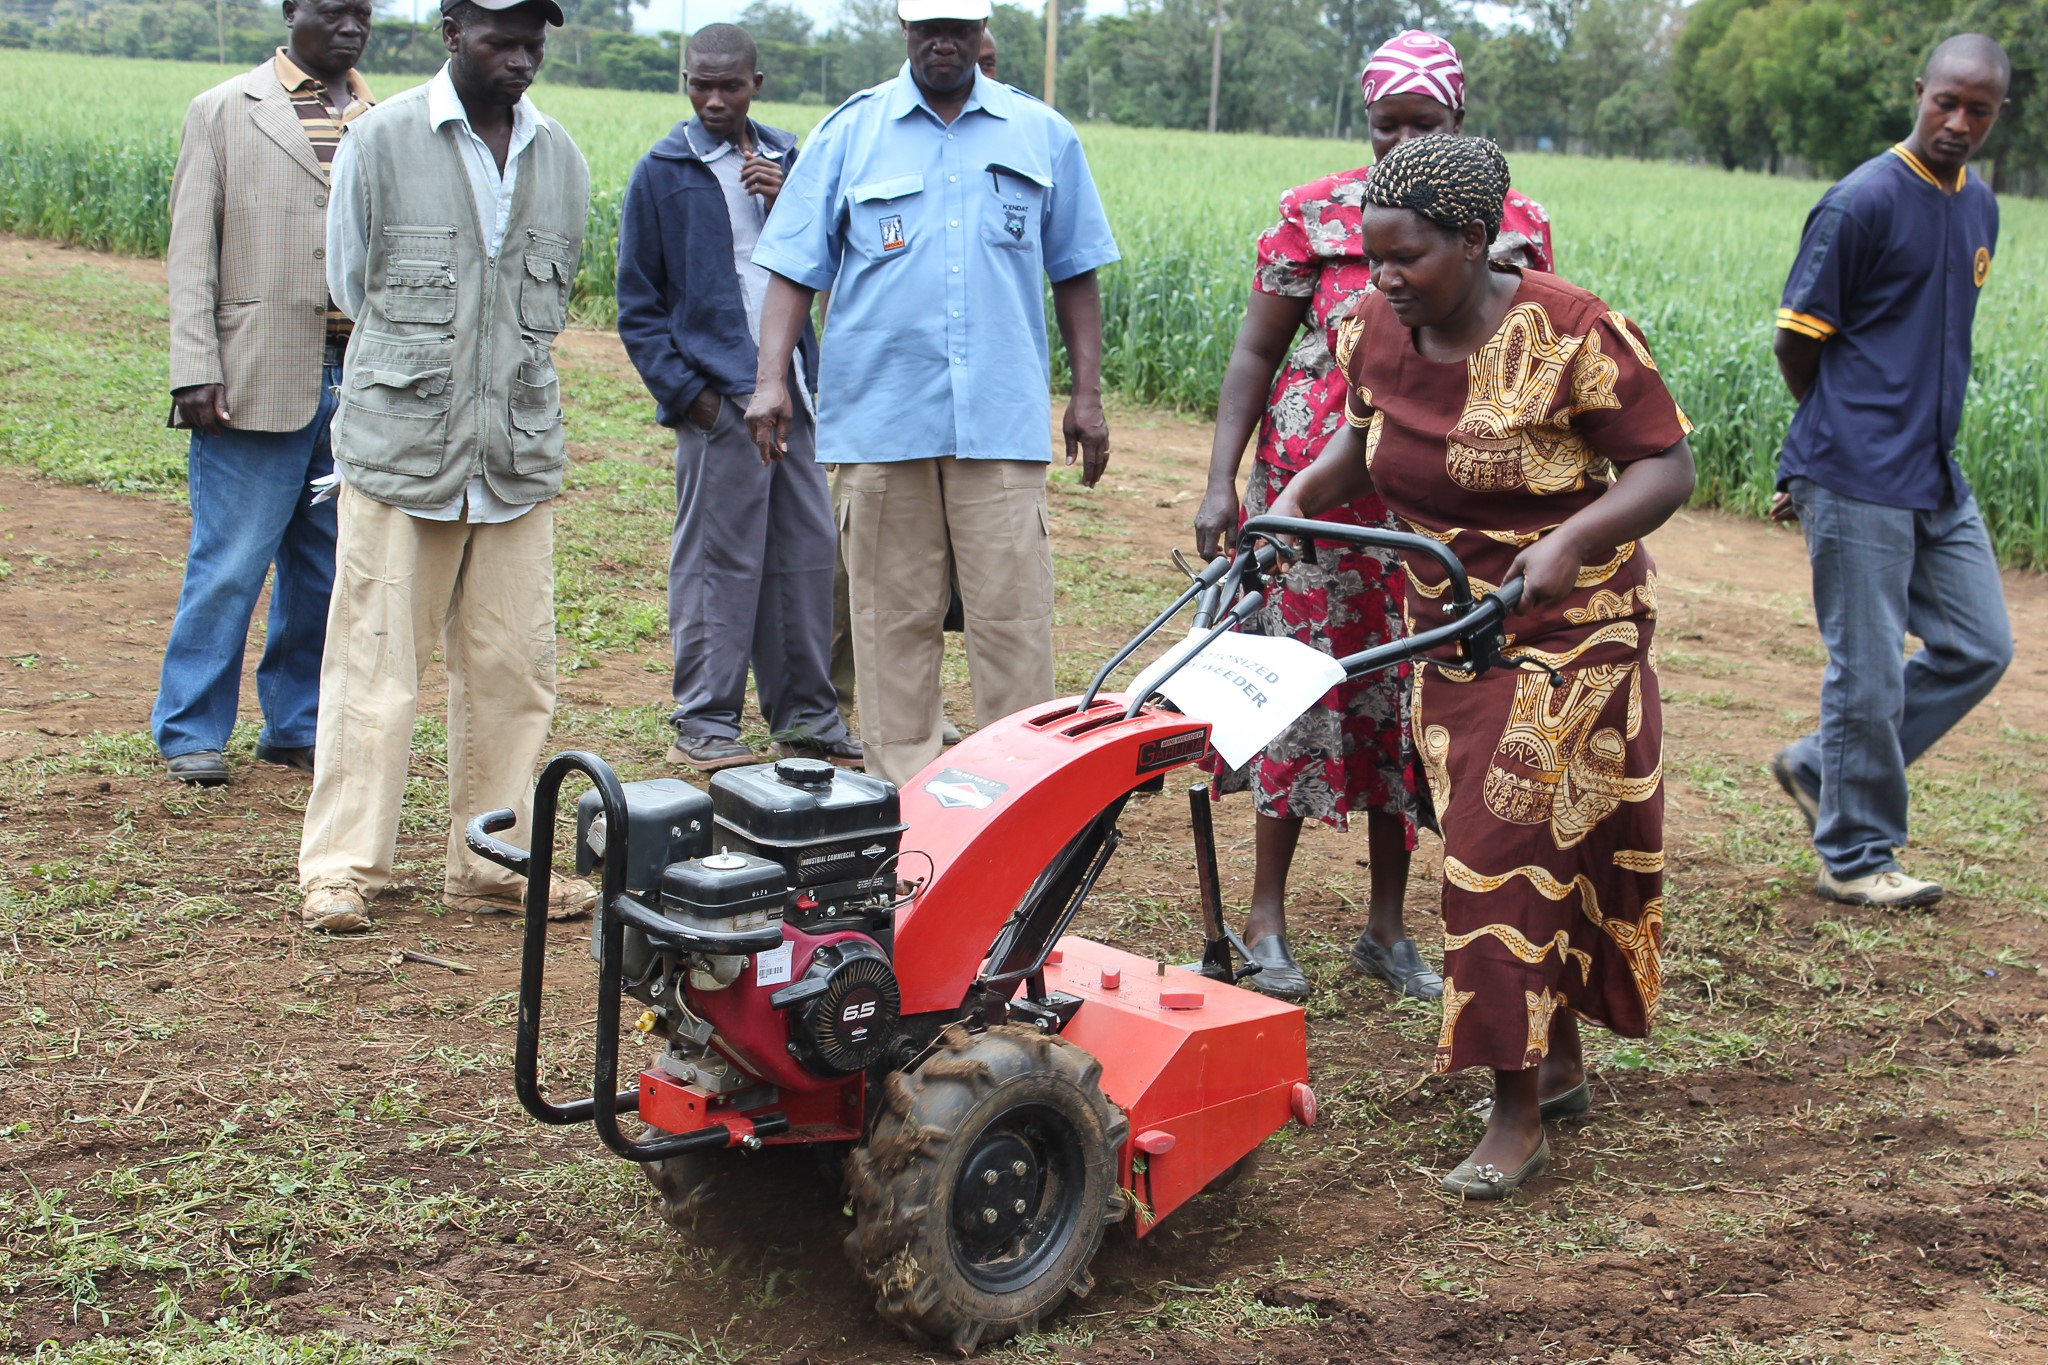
(1353, 750)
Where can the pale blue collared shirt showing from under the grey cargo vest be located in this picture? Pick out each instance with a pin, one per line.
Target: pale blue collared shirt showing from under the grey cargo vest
(349, 247)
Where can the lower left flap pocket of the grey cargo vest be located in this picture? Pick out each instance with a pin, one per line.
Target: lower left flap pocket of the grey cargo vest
(396, 404)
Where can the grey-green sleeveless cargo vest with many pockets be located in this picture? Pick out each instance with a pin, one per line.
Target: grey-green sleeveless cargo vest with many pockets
(452, 367)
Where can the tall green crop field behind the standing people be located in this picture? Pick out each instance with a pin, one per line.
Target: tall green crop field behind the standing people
(1695, 255)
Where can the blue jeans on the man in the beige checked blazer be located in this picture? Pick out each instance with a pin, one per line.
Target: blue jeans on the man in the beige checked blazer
(251, 509)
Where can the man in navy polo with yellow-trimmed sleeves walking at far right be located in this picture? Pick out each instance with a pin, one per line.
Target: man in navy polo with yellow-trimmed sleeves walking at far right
(1875, 345)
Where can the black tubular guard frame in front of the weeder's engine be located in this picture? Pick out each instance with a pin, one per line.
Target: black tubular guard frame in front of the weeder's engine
(617, 912)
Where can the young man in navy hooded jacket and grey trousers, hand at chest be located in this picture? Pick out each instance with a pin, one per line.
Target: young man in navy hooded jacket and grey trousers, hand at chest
(755, 545)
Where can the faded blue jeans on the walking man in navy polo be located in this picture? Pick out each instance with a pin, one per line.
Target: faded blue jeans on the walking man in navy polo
(1879, 574)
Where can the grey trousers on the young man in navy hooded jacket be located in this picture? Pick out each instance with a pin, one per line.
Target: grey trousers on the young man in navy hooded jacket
(751, 582)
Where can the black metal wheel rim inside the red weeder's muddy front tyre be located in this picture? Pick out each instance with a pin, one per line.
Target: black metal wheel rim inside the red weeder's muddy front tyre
(1017, 1198)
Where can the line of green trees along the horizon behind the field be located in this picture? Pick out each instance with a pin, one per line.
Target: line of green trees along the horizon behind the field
(1764, 85)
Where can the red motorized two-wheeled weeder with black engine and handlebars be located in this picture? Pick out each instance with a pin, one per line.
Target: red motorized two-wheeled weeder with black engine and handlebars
(830, 961)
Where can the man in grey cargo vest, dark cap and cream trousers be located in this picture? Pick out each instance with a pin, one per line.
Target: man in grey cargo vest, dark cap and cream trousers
(454, 238)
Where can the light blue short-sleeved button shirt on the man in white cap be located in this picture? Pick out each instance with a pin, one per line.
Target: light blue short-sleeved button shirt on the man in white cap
(937, 245)
